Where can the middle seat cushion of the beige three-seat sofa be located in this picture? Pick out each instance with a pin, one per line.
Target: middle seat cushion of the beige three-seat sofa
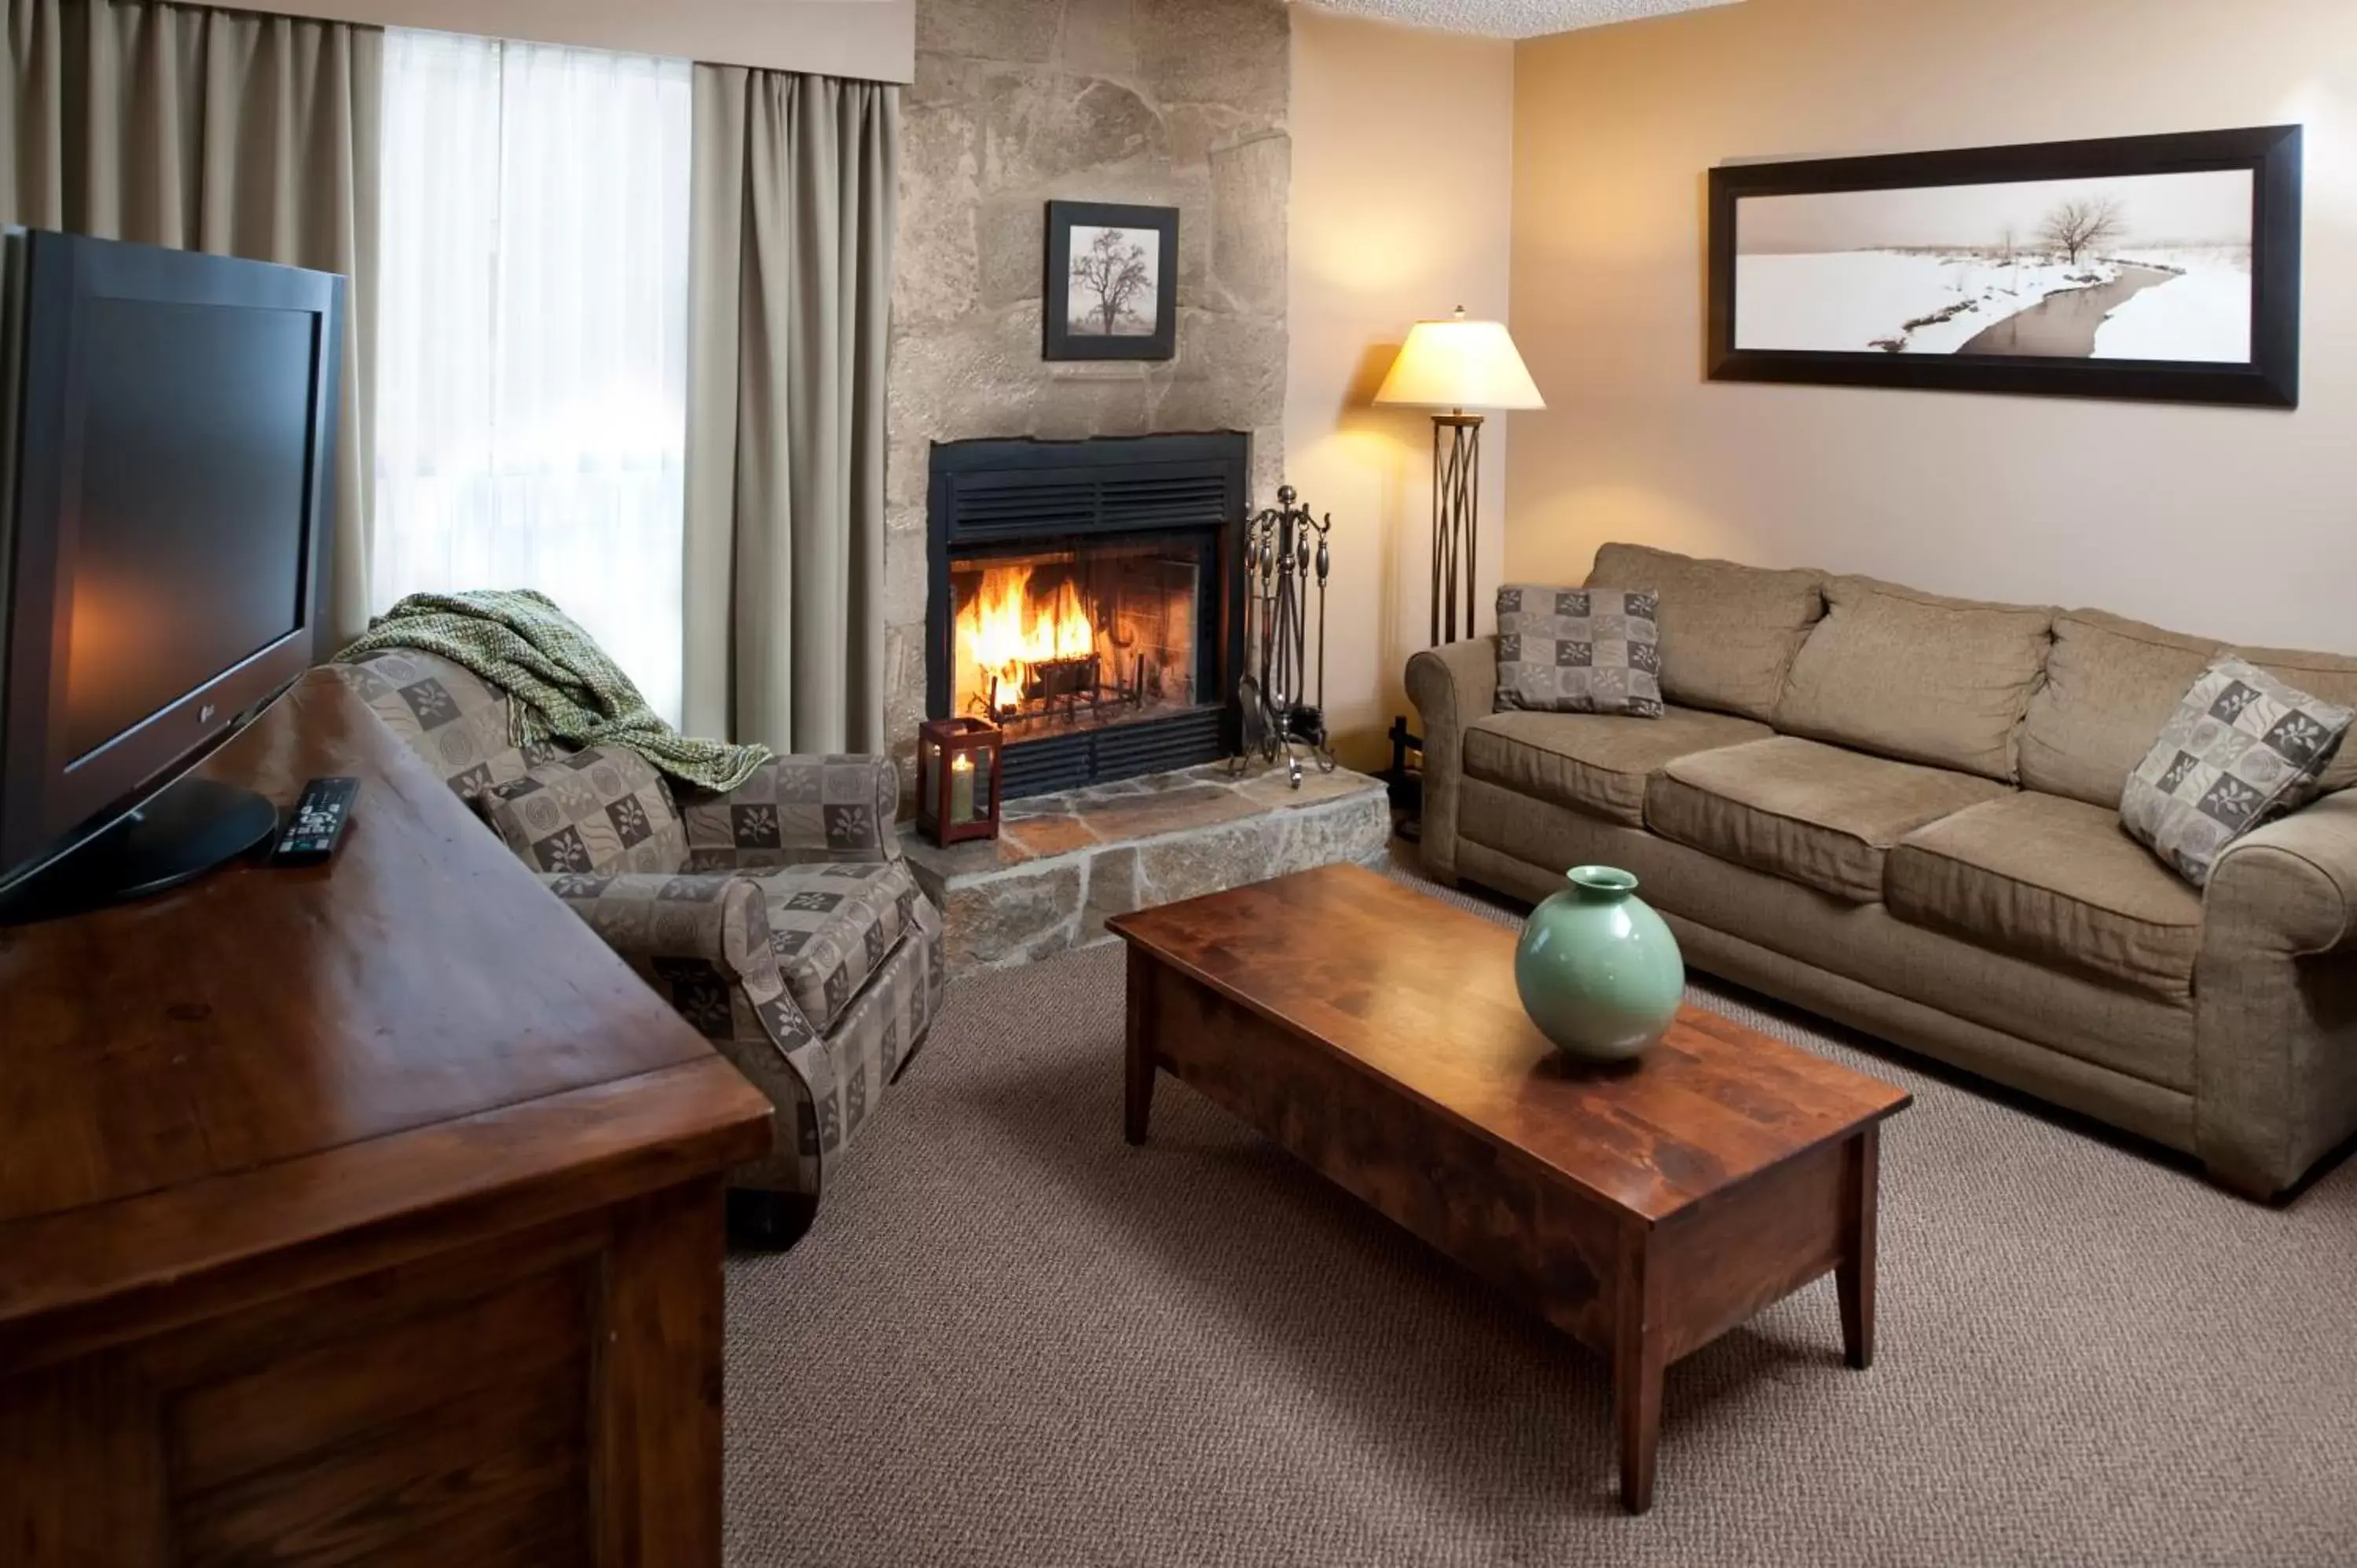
(1811, 815)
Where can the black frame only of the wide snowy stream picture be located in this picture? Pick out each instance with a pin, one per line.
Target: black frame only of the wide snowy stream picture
(2271, 378)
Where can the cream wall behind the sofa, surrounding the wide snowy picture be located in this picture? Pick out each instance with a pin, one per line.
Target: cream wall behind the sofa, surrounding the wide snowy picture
(2238, 525)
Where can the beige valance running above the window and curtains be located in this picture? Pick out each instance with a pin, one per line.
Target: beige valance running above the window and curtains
(871, 39)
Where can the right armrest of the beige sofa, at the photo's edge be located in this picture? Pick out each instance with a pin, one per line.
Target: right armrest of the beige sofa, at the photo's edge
(2276, 1001)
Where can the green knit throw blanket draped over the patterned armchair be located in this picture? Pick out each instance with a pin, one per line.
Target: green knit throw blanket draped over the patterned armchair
(560, 683)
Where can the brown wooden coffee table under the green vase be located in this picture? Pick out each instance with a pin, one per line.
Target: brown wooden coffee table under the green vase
(1644, 1211)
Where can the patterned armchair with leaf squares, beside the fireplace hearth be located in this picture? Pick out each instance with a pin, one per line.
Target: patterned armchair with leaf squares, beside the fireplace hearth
(777, 918)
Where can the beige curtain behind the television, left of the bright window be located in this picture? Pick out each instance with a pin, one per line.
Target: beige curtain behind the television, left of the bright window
(213, 131)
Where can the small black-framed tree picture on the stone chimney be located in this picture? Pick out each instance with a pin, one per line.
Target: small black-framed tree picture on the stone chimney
(1111, 282)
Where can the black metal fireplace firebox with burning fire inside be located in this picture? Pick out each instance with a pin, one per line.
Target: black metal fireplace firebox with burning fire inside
(1085, 598)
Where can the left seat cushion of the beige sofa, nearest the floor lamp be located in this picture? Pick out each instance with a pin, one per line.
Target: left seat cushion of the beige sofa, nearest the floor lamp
(1595, 763)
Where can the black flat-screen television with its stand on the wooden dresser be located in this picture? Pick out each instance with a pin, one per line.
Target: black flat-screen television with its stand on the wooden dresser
(166, 487)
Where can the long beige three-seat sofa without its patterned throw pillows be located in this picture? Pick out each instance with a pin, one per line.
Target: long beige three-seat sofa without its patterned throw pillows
(1901, 812)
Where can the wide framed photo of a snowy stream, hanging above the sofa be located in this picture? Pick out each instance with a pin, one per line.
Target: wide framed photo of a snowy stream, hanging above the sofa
(2134, 268)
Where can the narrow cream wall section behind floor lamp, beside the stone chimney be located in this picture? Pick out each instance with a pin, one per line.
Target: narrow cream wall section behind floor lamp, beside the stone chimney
(1404, 154)
